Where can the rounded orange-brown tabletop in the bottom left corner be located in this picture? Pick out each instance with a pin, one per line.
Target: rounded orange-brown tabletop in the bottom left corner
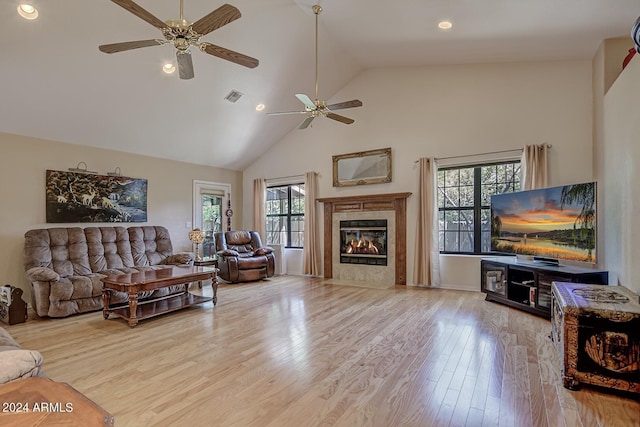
(39, 401)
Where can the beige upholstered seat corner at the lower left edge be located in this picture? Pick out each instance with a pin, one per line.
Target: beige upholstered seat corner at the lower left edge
(15, 362)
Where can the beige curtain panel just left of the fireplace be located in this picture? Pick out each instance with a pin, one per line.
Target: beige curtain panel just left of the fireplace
(311, 249)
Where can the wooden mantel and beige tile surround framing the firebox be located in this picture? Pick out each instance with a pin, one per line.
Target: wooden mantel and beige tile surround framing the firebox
(393, 208)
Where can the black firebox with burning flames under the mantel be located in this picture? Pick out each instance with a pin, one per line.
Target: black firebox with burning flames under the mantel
(363, 242)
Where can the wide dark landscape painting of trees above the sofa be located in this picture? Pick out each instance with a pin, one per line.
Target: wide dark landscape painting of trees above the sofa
(84, 197)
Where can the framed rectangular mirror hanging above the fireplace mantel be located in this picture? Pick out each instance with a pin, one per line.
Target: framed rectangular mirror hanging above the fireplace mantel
(365, 167)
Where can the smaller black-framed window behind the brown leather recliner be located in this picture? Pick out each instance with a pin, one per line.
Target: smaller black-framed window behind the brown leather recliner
(285, 215)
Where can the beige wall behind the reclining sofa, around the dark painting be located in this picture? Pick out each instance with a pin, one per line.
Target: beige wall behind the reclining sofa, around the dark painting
(23, 166)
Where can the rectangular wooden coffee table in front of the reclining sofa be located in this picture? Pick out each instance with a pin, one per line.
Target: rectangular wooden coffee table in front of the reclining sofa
(134, 283)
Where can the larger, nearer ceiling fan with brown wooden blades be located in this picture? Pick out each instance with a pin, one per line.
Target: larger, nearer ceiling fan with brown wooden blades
(184, 34)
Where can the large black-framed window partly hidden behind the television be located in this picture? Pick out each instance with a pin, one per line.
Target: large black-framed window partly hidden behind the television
(464, 197)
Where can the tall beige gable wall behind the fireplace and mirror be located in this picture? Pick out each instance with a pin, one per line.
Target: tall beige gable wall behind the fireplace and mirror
(445, 111)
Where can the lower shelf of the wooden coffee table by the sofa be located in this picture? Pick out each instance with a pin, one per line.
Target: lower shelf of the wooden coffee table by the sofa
(147, 309)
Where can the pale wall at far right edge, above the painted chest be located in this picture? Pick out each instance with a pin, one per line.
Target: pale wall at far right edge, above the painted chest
(621, 194)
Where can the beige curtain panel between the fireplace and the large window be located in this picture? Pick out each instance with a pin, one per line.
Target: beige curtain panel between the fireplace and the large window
(427, 254)
